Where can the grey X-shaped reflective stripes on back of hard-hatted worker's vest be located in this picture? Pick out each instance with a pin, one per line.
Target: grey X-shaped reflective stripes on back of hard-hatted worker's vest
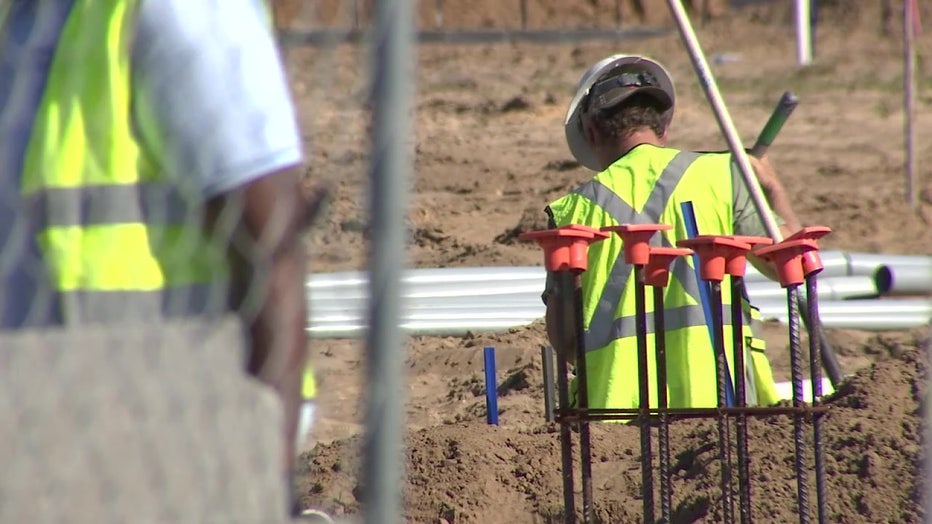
(601, 326)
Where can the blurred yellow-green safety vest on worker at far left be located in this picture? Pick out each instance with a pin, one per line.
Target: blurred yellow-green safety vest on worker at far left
(119, 240)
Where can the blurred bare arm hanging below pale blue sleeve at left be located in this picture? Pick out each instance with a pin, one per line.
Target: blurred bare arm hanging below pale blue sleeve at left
(269, 266)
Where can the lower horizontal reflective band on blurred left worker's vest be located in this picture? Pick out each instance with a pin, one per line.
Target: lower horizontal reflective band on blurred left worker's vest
(83, 306)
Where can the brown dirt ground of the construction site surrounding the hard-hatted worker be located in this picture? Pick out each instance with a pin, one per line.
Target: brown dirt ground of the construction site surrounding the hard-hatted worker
(489, 155)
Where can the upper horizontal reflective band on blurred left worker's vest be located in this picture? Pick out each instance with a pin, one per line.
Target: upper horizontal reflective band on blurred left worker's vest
(112, 204)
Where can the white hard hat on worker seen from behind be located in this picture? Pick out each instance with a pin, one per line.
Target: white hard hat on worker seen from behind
(656, 82)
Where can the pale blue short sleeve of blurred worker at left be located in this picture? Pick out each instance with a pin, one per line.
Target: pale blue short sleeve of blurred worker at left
(211, 103)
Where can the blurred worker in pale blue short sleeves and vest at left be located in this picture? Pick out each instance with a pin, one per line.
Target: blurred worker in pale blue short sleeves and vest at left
(149, 161)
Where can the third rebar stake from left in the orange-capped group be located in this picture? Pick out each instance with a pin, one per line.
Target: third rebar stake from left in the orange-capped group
(647, 474)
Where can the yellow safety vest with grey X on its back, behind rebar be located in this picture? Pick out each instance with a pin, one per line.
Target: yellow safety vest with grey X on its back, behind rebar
(647, 185)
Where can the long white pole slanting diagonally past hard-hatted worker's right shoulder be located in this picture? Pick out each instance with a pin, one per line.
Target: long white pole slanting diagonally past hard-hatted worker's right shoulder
(727, 126)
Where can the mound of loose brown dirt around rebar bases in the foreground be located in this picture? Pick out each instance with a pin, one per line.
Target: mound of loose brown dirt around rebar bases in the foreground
(465, 471)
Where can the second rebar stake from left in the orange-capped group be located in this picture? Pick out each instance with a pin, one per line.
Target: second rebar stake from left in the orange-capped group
(573, 281)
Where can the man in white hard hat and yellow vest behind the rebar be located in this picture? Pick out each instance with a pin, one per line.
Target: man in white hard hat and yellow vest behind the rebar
(617, 125)
